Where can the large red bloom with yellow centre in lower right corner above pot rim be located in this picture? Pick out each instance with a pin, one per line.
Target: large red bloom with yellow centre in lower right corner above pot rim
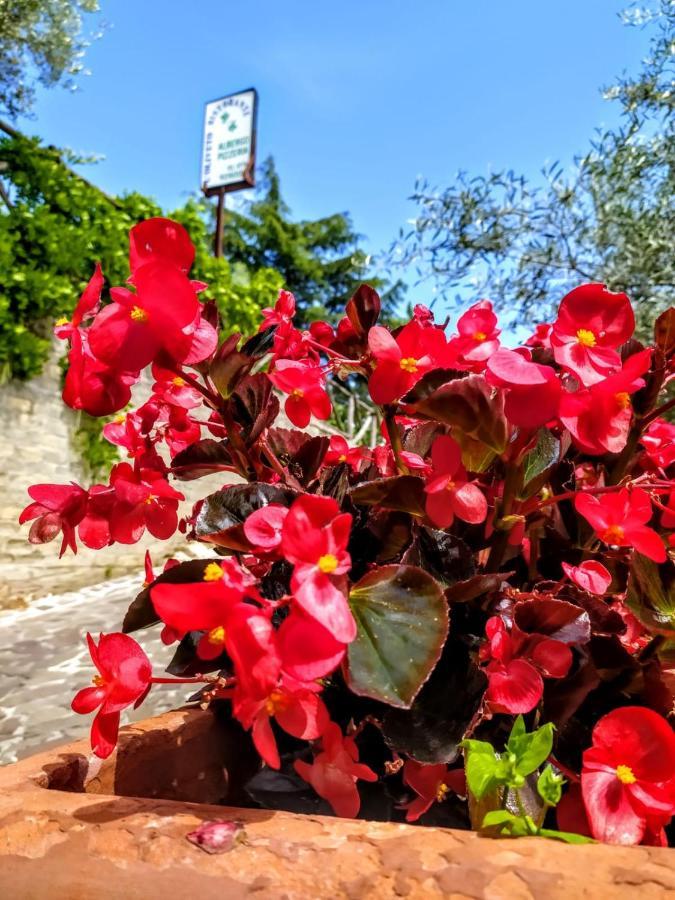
(628, 775)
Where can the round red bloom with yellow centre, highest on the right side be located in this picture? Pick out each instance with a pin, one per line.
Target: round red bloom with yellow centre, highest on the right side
(592, 323)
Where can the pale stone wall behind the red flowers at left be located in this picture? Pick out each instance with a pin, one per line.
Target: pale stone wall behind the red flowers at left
(36, 446)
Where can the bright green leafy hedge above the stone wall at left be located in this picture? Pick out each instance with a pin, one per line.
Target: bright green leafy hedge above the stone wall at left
(58, 226)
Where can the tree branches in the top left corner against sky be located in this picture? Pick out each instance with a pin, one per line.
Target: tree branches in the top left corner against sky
(40, 41)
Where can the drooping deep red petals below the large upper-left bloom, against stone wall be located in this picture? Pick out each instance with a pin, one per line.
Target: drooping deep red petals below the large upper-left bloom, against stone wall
(93, 386)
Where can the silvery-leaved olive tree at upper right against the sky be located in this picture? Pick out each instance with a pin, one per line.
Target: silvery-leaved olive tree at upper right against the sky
(611, 220)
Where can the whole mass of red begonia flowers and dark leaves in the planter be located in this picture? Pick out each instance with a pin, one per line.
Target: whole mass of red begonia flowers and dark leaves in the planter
(505, 549)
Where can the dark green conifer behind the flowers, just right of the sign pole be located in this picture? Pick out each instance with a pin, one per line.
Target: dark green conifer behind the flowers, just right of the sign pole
(319, 260)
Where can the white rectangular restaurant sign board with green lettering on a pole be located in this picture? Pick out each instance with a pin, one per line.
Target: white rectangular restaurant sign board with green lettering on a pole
(228, 148)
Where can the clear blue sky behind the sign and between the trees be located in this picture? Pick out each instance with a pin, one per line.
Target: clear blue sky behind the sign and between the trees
(356, 98)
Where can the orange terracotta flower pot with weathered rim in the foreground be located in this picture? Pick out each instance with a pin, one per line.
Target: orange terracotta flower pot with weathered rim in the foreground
(73, 827)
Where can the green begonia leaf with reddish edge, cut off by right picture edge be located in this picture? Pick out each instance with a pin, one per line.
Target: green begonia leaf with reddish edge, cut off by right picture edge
(651, 594)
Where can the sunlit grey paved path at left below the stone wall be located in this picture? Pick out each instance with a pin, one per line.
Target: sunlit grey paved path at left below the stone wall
(44, 661)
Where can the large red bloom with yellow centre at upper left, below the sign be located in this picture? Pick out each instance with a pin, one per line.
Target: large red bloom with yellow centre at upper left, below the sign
(130, 332)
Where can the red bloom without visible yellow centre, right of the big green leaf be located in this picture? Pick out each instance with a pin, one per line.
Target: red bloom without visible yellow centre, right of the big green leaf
(515, 665)
